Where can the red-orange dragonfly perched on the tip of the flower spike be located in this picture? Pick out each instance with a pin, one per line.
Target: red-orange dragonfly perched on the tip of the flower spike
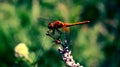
(55, 25)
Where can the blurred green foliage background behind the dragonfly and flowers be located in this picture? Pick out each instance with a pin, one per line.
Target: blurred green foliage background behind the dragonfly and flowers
(96, 44)
